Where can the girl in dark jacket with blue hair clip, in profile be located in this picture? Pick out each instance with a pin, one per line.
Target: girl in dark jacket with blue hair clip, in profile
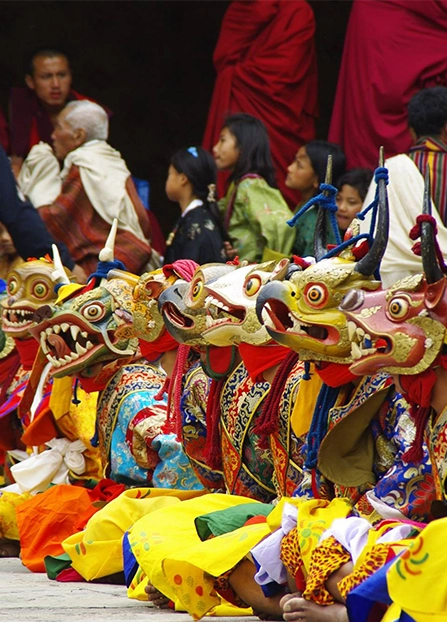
(198, 233)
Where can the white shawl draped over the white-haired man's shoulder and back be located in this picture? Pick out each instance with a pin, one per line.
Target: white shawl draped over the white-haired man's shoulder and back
(104, 174)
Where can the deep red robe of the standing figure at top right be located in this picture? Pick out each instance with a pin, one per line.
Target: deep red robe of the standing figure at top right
(392, 50)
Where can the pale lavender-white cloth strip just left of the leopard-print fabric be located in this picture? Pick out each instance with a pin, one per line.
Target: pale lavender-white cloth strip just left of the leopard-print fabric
(267, 552)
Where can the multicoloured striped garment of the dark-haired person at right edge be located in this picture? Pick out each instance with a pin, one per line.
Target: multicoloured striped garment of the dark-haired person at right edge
(433, 152)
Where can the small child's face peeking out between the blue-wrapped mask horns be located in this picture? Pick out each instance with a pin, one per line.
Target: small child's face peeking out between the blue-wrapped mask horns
(352, 189)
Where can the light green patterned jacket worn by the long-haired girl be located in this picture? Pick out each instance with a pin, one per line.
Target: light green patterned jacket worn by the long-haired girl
(258, 220)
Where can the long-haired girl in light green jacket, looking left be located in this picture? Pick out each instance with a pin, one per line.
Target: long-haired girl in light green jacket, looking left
(253, 209)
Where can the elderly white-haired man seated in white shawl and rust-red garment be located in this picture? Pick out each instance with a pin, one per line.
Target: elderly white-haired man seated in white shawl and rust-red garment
(79, 203)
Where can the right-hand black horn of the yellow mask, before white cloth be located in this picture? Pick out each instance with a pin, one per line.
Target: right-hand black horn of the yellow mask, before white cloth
(371, 261)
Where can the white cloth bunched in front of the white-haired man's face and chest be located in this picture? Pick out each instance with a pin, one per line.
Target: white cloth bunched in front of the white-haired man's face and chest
(39, 178)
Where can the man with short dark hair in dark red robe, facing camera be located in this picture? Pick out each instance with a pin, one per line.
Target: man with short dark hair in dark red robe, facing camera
(34, 108)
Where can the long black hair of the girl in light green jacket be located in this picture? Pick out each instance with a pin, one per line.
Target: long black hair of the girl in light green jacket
(254, 147)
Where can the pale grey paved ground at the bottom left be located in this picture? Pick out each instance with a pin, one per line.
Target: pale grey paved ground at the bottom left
(25, 596)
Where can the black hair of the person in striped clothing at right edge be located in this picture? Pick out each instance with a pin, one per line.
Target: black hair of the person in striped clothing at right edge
(427, 111)
